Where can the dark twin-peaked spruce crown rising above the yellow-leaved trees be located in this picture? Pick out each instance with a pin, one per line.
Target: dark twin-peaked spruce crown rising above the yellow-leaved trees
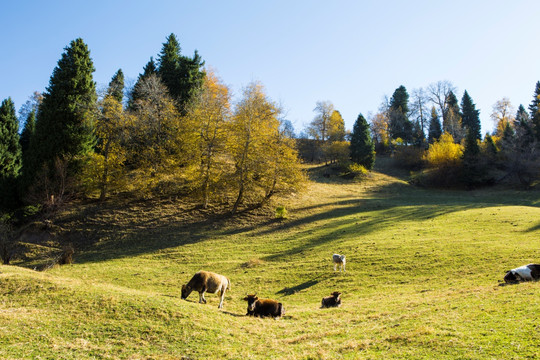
(183, 76)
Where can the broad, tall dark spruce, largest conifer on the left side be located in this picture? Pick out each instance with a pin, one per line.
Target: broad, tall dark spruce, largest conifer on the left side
(64, 126)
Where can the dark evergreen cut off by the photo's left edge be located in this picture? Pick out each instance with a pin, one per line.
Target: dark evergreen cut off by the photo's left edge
(10, 154)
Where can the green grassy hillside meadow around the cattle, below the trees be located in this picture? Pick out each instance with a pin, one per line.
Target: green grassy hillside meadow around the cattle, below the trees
(422, 280)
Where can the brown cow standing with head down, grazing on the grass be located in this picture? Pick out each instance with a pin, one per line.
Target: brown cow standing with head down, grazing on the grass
(206, 281)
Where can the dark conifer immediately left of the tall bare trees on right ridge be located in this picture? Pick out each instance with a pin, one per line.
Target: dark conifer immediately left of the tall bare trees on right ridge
(400, 125)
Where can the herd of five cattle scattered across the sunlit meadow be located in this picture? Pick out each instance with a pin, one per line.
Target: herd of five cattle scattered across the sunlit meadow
(206, 281)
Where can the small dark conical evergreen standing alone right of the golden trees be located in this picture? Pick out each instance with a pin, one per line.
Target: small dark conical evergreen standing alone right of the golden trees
(362, 146)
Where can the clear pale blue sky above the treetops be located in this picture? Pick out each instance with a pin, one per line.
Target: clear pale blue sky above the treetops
(351, 53)
